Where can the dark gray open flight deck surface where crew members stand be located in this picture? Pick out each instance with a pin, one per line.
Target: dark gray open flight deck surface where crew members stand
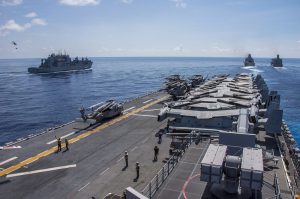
(98, 157)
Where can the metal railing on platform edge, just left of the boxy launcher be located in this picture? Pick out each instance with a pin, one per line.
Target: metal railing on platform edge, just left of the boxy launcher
(165, 171)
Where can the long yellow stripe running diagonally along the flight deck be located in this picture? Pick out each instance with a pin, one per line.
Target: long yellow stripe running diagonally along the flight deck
(77, 138)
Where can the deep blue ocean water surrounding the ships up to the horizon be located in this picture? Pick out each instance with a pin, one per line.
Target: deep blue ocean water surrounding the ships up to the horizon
(30, 103)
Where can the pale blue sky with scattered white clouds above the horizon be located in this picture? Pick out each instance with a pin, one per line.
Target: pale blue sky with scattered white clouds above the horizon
(109, 28)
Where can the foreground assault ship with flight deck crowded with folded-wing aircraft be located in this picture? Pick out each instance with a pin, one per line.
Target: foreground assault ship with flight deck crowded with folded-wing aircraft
(219, 138)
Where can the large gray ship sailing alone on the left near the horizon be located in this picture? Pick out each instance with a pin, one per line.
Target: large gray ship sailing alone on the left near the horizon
(61, 63)
